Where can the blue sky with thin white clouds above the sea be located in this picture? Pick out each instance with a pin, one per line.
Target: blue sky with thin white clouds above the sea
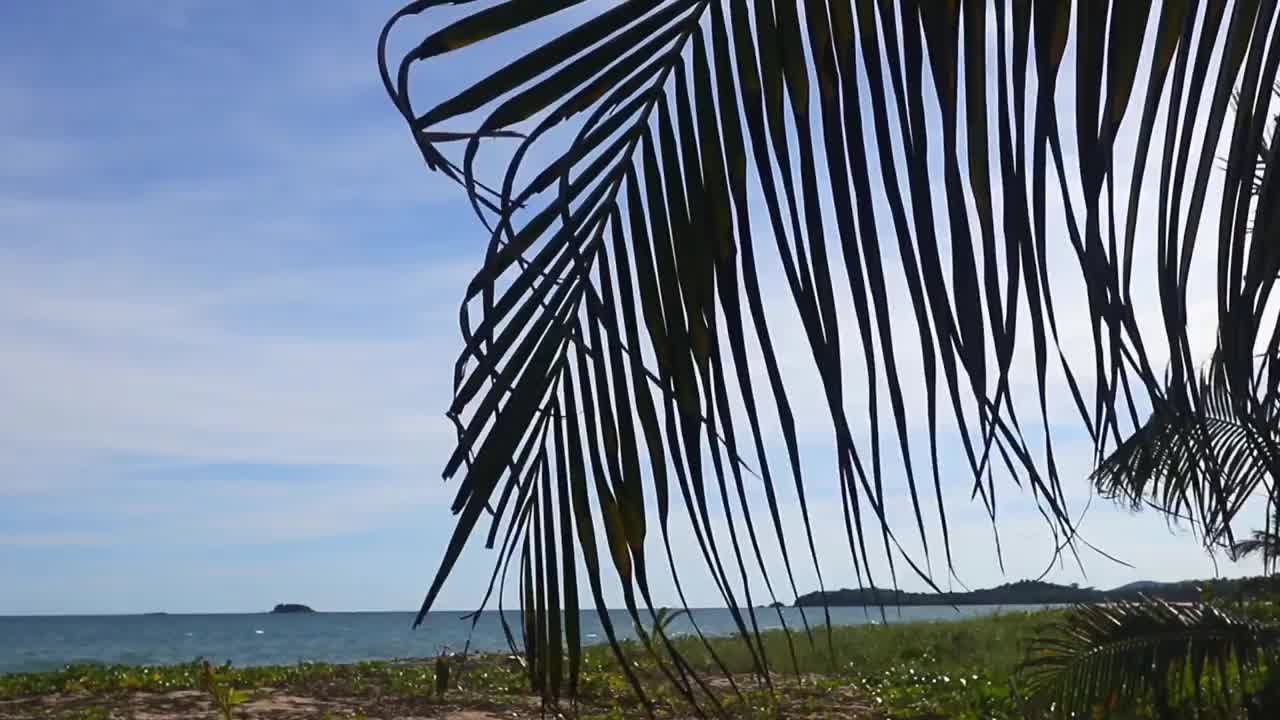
(228, 321)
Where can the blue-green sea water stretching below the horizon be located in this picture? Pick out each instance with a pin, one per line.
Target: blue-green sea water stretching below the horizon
(49, 642)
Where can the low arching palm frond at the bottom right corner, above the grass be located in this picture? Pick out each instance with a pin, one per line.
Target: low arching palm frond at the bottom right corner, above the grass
(1124, 655)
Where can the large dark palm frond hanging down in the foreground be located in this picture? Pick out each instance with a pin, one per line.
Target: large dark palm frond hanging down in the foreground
(666, 160)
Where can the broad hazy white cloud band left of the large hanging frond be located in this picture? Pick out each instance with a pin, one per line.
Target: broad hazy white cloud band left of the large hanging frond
(95, 368)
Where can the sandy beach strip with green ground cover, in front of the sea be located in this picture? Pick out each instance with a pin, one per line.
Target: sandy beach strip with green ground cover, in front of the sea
(926, 669)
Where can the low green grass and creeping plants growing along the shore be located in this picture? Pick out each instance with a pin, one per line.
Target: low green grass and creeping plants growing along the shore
(921, 671)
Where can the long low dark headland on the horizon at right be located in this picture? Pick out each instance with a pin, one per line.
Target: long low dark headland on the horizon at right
(1030, 593)
